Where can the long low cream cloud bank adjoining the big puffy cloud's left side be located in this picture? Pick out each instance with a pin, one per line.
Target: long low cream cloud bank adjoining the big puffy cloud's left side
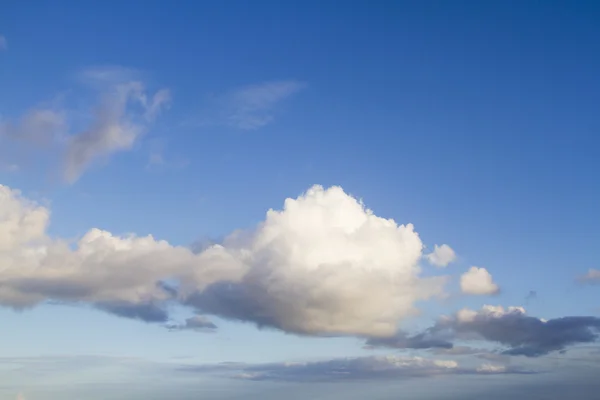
(121, 275)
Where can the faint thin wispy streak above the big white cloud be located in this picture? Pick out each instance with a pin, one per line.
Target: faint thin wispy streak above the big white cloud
(249, 107)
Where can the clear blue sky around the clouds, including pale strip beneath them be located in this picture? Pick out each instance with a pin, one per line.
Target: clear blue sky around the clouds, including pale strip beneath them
(476, 121)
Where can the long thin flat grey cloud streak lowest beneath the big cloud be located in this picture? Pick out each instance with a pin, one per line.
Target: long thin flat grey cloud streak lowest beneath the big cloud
(343, 369)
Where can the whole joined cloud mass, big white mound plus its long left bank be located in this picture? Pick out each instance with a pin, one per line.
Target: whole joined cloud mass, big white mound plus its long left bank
(323, 265)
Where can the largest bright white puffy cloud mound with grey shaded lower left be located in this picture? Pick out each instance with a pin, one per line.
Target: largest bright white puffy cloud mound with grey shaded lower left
(324, 265)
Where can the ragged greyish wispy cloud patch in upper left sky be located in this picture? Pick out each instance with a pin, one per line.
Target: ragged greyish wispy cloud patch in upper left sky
(122, 113)
